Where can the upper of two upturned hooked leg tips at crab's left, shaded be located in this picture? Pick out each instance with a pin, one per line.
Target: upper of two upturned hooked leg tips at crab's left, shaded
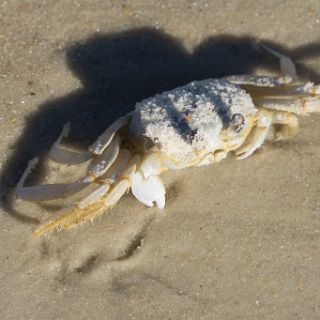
(64, 156)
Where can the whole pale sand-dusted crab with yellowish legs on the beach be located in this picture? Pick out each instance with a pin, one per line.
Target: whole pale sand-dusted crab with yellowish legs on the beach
(197, 124)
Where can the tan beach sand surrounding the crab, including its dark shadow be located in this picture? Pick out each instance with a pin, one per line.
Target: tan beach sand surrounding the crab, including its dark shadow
(239, 240)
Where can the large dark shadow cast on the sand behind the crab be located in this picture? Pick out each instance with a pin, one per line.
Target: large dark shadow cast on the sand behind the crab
(117, 70)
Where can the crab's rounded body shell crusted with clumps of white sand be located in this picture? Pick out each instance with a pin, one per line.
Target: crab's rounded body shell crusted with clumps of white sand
(189, 123)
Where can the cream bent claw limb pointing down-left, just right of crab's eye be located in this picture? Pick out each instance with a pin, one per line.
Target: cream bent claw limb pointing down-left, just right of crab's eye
(258, 135)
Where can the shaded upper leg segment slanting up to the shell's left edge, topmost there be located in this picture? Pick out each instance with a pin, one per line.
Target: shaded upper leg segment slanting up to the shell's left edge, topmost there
(105, 139)
